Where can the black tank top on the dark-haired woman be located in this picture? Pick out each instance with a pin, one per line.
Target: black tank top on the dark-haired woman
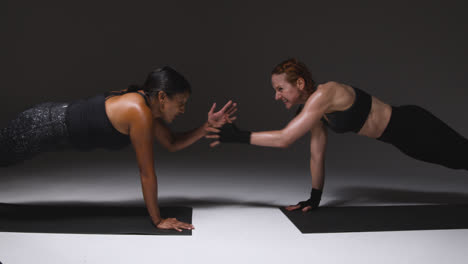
(90, 128)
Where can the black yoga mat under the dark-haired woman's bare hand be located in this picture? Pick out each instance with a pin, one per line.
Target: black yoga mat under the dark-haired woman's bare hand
(87, 219)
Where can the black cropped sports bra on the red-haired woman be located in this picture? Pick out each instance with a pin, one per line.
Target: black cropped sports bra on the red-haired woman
(351, 119)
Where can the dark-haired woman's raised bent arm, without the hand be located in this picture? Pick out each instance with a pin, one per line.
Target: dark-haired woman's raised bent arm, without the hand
(177, 141)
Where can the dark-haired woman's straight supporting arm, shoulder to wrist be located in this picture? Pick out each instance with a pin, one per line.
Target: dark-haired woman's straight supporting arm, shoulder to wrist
(141, 136)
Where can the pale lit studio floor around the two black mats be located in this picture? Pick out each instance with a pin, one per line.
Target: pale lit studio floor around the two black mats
(235, 216)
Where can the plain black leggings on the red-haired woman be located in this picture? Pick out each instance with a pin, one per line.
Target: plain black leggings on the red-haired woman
(421, 135)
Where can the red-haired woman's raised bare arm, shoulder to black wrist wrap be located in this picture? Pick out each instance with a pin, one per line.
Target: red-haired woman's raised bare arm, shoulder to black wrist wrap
(309, 117)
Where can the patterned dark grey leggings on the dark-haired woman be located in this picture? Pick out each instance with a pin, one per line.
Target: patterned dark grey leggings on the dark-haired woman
(40, 128)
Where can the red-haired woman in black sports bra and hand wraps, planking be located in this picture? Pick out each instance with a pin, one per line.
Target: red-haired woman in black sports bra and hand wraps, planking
(343, 108)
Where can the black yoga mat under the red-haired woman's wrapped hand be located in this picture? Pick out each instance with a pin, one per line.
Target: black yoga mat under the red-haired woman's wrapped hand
(380, 218)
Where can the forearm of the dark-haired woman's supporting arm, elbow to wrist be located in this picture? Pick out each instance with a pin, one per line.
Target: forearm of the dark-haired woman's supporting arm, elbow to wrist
(150, 194)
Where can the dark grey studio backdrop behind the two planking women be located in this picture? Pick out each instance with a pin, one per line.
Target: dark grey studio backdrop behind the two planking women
(403, 52)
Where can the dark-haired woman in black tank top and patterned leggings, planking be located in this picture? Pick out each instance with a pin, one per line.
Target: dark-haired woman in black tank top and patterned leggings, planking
(114, 120)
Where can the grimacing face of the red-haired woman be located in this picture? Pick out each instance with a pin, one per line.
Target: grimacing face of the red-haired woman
(289, 93)
